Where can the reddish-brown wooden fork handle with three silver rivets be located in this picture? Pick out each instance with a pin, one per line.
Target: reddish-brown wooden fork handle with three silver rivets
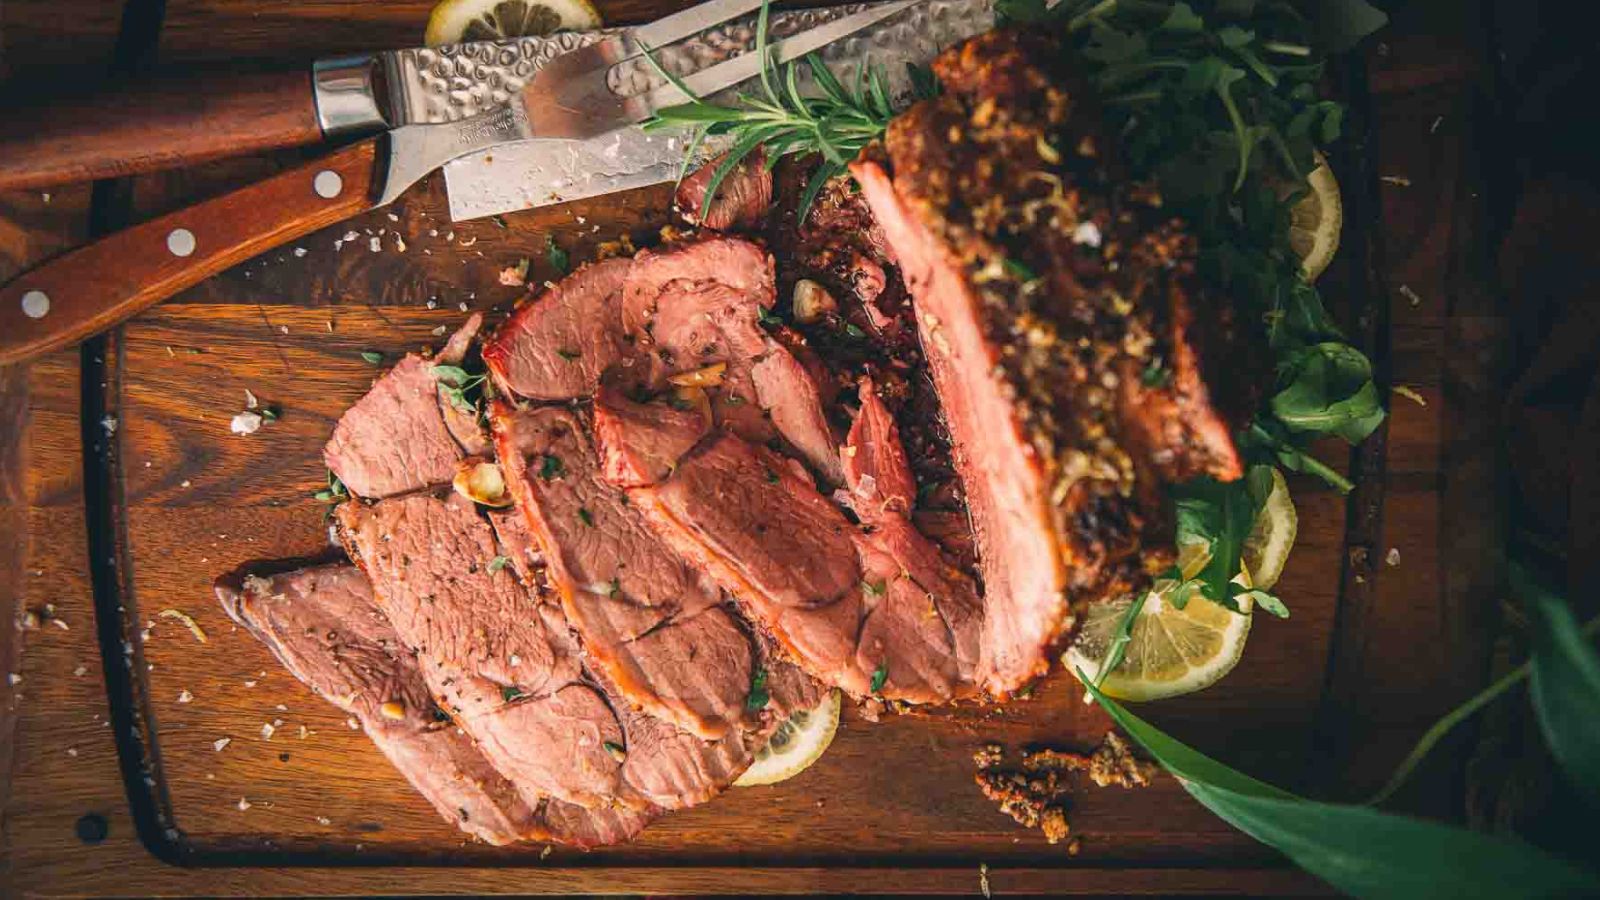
(95, 287)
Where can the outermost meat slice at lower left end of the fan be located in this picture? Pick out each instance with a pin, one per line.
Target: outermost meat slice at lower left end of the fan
(324, 625)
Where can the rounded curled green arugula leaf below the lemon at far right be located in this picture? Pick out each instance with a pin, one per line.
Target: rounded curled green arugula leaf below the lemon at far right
(1329, 390)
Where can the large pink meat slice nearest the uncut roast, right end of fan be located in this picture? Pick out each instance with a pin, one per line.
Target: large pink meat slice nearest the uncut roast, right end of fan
(868, 611)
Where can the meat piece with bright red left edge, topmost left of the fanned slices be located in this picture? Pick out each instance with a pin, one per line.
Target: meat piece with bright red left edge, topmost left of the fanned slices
(556, 345)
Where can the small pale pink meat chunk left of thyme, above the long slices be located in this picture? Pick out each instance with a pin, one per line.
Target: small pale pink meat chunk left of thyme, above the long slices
(394, 440)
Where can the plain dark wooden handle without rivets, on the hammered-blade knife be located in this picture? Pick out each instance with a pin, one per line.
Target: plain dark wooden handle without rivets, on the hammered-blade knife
(151, 126)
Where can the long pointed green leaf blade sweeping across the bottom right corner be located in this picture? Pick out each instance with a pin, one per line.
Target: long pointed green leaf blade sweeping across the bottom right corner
(1356, 850)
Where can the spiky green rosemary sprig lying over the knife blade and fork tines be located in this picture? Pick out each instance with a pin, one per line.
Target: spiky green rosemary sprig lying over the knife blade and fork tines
(836, 123)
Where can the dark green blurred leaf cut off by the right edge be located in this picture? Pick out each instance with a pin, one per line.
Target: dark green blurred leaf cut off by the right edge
(1566, 683)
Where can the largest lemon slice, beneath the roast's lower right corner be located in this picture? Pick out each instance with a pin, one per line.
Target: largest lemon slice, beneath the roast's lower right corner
(1172, 651)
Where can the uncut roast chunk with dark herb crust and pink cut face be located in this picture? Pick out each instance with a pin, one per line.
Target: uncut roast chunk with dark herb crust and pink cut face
(1054, 300)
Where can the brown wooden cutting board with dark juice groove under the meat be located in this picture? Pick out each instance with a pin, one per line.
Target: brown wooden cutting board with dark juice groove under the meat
(132, 496)
